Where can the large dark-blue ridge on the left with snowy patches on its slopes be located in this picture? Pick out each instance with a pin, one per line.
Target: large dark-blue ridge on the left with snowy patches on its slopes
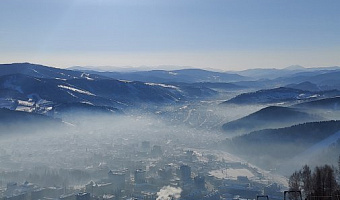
(37, 88)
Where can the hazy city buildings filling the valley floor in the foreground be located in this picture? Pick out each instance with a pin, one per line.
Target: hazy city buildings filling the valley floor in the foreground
(153, 173)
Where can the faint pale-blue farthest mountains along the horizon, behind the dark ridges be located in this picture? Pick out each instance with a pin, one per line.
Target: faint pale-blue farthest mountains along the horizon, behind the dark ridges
(323, 78)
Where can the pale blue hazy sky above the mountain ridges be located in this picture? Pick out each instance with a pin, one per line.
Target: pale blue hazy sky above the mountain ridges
(223, 34)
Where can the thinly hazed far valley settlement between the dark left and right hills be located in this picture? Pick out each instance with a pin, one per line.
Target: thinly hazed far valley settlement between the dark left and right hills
(207, 115)
